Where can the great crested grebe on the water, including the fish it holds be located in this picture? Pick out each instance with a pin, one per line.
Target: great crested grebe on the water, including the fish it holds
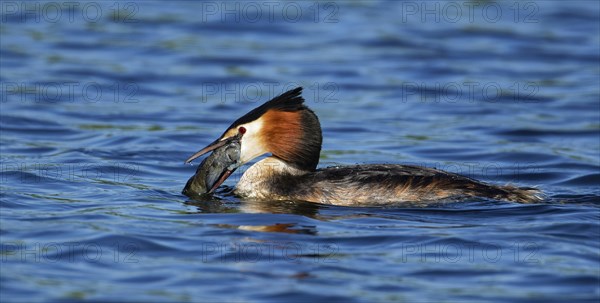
(291, 133)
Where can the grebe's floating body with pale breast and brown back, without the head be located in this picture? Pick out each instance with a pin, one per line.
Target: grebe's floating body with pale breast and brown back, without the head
(371, 184)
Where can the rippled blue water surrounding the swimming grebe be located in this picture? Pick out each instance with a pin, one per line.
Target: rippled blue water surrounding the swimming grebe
(103, 101)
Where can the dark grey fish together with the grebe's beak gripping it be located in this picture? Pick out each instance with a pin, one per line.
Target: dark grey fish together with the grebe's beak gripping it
(216, 168)
